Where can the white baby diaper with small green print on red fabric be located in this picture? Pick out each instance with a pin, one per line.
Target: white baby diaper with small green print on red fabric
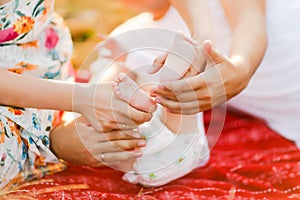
(167, 156)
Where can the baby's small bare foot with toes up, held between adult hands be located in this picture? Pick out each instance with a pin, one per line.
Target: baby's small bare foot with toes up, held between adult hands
(127, 90)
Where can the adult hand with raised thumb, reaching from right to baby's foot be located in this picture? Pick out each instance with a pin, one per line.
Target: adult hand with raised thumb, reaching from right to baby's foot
(220, 82)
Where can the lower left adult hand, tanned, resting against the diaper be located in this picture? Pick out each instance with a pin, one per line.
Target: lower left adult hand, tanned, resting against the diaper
(79, 143)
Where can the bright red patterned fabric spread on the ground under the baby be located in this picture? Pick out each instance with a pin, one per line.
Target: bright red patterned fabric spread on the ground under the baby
(249, 161)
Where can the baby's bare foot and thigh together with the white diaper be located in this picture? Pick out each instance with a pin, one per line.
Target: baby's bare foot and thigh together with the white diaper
(167, 156)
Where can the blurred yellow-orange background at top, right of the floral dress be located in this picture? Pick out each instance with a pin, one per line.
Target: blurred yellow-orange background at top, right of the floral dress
(89, 18)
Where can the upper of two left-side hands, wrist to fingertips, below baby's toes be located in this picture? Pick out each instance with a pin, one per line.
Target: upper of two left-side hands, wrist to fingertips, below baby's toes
(103, 110)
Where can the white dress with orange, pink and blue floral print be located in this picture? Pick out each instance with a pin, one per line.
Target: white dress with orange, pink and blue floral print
(34, 42)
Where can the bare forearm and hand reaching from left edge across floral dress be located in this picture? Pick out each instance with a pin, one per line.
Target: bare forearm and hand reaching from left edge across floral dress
(95, 101)
